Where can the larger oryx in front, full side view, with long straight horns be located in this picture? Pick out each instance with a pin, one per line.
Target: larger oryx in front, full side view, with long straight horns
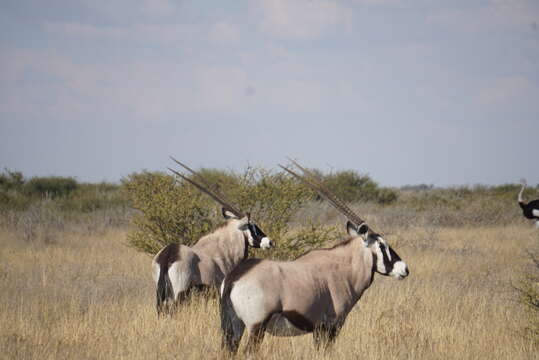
(311, 294)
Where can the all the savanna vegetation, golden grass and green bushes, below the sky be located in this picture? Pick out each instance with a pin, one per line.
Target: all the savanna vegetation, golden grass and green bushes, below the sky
(76, 283)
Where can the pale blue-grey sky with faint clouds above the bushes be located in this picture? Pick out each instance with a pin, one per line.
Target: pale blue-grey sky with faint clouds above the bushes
(442, 92)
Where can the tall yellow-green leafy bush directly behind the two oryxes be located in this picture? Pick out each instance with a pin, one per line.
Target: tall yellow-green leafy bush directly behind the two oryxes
(175, 212)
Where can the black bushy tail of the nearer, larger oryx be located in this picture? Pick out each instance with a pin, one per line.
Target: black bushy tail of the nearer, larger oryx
(231, 325)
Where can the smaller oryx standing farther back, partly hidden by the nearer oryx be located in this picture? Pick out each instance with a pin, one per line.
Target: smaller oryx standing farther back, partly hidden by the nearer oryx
(177, 269)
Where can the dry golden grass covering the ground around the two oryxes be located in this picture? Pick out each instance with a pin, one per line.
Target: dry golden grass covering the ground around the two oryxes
(93, 298)
